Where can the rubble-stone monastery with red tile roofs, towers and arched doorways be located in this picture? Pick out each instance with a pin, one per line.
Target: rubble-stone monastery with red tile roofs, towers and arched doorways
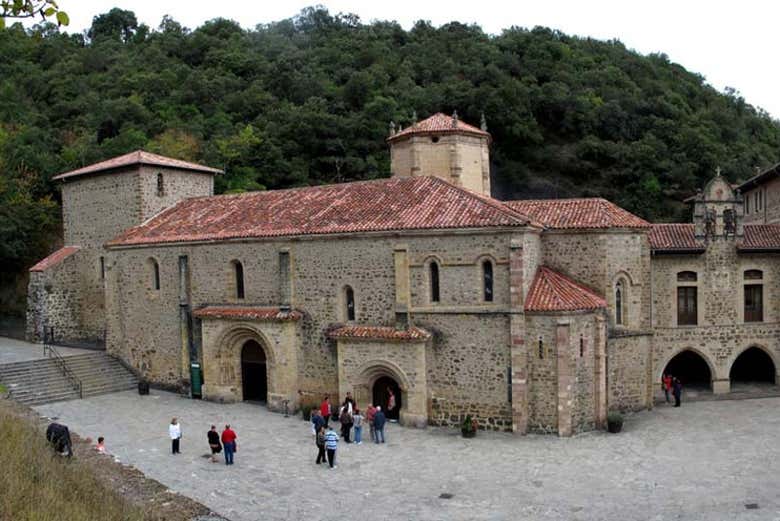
(531, 316)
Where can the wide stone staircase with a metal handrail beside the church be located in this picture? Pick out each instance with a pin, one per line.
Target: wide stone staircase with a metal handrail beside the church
(35, 382)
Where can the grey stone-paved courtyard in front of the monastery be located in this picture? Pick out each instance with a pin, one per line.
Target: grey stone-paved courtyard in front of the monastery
(703, 461)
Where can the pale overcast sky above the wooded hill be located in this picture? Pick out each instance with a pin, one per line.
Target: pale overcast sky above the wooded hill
(732, 44)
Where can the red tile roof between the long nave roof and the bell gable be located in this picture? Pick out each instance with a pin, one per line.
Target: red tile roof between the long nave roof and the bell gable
(577, 213)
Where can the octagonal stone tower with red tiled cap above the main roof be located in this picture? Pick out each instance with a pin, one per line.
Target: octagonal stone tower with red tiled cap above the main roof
(444, 147)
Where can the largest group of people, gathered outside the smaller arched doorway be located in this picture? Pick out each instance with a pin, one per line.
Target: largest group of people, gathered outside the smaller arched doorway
(351, 420)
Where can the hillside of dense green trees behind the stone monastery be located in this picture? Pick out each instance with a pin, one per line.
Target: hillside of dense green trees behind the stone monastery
(309, 100)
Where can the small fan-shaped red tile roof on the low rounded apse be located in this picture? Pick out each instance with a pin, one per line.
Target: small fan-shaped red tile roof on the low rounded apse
(552, 291)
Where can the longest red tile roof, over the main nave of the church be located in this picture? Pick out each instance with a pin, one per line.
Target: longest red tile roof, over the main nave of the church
(414, 203)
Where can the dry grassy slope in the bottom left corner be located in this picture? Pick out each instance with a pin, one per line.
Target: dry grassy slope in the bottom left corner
(37, 484)
